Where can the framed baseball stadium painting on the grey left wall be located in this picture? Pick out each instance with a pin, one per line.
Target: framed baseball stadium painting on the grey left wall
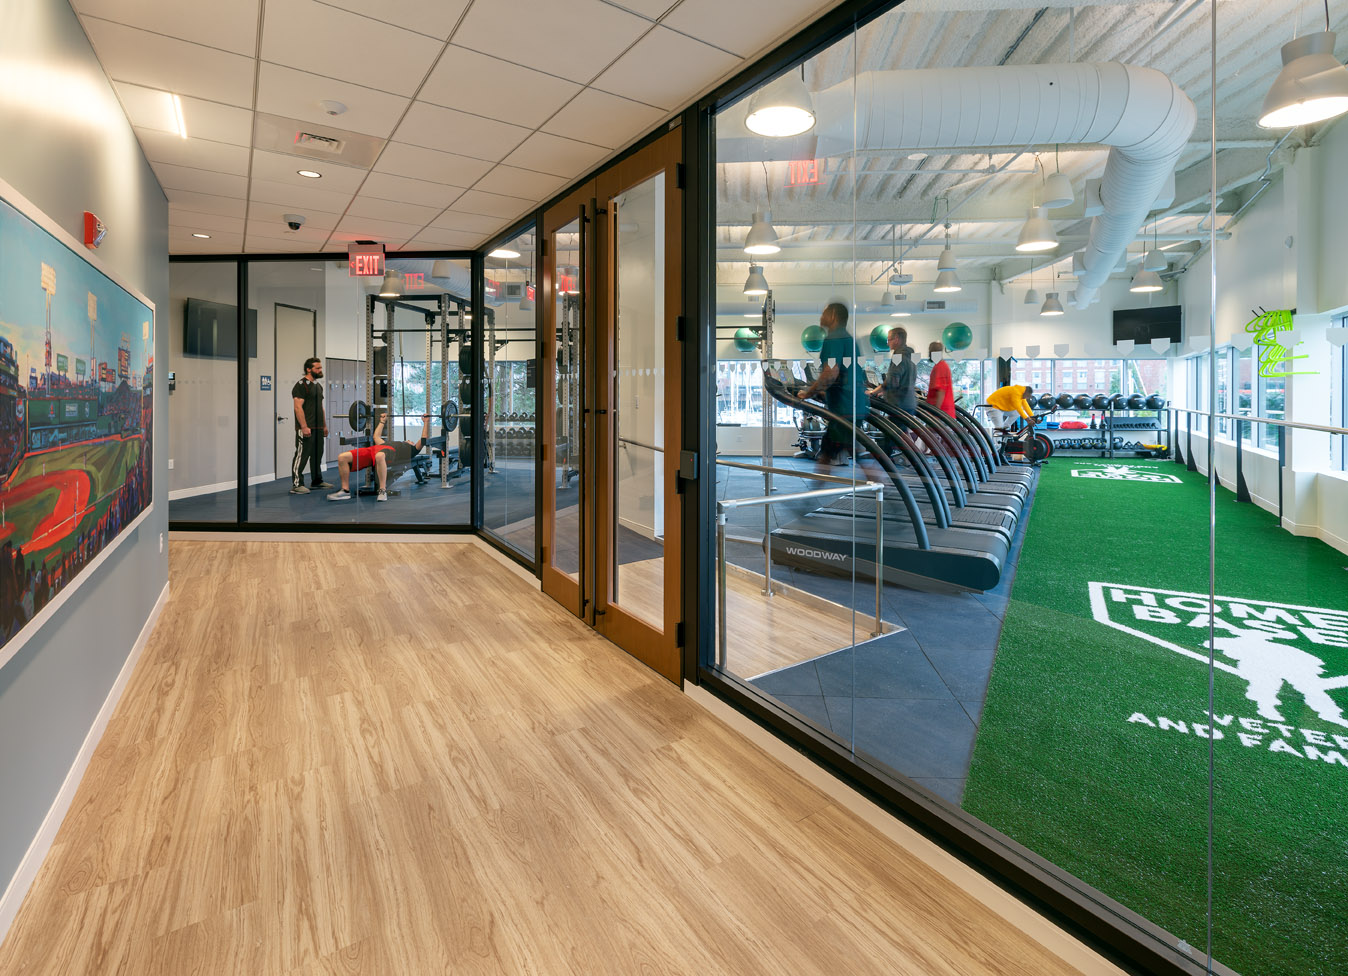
(76, 409)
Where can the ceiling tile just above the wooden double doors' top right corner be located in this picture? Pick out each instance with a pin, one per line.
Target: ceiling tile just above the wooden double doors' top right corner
(667, 69)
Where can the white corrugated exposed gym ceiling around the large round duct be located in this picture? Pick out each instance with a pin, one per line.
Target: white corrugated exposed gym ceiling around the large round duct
(874, 206)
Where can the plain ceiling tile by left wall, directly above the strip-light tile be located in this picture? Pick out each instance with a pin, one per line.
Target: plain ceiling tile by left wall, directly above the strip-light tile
(172, 65)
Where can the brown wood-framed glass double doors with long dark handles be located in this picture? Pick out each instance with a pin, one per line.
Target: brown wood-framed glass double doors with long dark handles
(613, 276)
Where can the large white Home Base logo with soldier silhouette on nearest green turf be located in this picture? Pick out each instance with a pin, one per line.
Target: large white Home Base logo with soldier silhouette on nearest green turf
(1276, 649)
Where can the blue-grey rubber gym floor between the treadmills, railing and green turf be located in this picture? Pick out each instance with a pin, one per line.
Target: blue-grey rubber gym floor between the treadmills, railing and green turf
(911, 702)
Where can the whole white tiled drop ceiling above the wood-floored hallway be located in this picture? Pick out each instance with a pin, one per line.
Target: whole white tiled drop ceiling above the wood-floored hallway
(460, 115)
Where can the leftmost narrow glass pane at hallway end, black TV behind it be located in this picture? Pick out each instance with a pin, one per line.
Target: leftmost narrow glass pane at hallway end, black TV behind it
(204, 392)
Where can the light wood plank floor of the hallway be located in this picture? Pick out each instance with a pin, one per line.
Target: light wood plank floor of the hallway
(402, 760)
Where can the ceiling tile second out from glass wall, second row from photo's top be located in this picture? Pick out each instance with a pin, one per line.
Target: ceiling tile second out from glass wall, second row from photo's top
(477, 83)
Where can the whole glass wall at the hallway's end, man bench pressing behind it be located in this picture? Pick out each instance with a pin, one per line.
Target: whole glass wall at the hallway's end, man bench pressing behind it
(358, 405)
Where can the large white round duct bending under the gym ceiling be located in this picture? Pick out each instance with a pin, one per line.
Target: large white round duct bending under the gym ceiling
(1144, 117)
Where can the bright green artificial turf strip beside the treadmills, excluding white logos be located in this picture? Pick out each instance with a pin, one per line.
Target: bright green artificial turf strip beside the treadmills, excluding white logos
(1124, 805)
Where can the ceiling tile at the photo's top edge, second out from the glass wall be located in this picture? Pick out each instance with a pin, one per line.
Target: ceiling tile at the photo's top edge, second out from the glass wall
(570, 38)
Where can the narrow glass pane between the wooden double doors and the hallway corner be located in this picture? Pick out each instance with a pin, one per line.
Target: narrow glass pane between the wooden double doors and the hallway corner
(509, 498)
